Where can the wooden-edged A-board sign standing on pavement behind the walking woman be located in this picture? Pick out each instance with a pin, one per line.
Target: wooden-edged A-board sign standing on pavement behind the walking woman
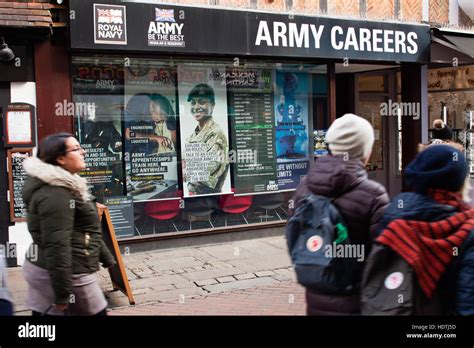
(117, 272)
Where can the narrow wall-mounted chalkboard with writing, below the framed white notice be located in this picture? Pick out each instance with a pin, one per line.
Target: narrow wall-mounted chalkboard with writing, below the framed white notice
(16, 180)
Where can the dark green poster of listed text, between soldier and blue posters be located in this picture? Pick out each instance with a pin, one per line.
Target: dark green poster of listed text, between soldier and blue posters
(251, 117)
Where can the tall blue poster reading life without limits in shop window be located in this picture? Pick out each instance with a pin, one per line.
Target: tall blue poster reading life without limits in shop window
(291, 127)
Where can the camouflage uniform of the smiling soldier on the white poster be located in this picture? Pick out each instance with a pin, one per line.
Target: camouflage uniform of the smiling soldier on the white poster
(212, 135)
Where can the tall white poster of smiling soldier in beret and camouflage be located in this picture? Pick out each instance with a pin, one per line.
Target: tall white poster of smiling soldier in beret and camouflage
(204, 130)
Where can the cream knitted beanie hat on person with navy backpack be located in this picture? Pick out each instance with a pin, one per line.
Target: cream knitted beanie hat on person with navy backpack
(351, 135)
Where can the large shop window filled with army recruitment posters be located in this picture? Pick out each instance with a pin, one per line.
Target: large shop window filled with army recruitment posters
(197, 144)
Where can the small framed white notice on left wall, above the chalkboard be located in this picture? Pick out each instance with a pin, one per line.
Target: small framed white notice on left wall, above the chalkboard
(19, 125)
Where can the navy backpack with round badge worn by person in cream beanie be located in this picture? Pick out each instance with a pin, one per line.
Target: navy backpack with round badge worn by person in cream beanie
(313, 233)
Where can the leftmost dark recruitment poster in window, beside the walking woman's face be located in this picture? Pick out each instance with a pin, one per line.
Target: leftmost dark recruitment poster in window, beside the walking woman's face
(98, 101)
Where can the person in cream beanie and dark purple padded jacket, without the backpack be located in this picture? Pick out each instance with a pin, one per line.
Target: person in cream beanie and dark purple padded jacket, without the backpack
(342, 177)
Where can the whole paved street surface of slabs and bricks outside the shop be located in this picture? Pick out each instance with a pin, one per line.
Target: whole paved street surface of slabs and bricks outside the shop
(249, 277)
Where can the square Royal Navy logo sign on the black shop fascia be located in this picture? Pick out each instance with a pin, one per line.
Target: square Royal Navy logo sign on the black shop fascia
(110, 24)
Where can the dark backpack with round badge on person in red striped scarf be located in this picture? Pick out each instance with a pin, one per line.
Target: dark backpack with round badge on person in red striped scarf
(389, 287)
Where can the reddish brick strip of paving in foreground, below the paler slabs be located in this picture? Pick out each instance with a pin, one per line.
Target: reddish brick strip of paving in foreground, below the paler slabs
(285, 298)
